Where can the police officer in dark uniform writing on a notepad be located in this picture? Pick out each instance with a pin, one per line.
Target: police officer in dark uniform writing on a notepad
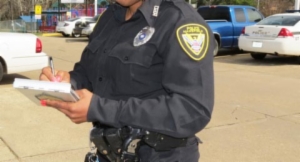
(148, 65)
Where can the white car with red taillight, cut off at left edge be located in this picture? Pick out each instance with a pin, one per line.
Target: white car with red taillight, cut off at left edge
(20, 52)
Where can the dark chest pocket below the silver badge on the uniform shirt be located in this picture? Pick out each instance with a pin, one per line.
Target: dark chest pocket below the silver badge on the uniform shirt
(132, 69)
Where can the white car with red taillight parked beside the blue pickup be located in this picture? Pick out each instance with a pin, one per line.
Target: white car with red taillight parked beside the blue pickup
(278, 34)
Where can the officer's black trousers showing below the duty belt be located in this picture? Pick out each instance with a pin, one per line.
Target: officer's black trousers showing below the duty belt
(189, 153)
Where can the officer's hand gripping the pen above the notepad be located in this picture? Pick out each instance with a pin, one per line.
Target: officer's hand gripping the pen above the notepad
(60, 76)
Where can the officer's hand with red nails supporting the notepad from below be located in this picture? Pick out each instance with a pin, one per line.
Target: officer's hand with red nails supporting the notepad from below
(76, 111)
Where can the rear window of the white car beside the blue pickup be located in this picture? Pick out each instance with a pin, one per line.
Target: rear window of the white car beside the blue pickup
(280, 20)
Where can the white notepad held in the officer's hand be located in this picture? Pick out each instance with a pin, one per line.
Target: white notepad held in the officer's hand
(37, 90)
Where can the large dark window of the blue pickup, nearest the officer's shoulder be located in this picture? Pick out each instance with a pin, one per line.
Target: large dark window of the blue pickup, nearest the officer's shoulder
(214, 13)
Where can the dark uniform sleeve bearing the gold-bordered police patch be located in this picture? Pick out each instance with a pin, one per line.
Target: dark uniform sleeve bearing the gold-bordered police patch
(188, 79)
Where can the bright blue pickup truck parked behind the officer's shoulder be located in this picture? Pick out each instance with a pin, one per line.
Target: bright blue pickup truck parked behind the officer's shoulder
(227, 22)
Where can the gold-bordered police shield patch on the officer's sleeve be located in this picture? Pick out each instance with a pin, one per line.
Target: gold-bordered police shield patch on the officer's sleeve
(194, 40)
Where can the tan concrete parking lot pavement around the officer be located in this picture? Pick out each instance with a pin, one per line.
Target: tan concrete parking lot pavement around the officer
(256, 116)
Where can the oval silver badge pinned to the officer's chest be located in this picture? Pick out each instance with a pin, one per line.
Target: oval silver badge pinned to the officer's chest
(143, 36)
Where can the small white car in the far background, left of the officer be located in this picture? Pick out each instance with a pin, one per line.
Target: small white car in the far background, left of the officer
(66, 27)
